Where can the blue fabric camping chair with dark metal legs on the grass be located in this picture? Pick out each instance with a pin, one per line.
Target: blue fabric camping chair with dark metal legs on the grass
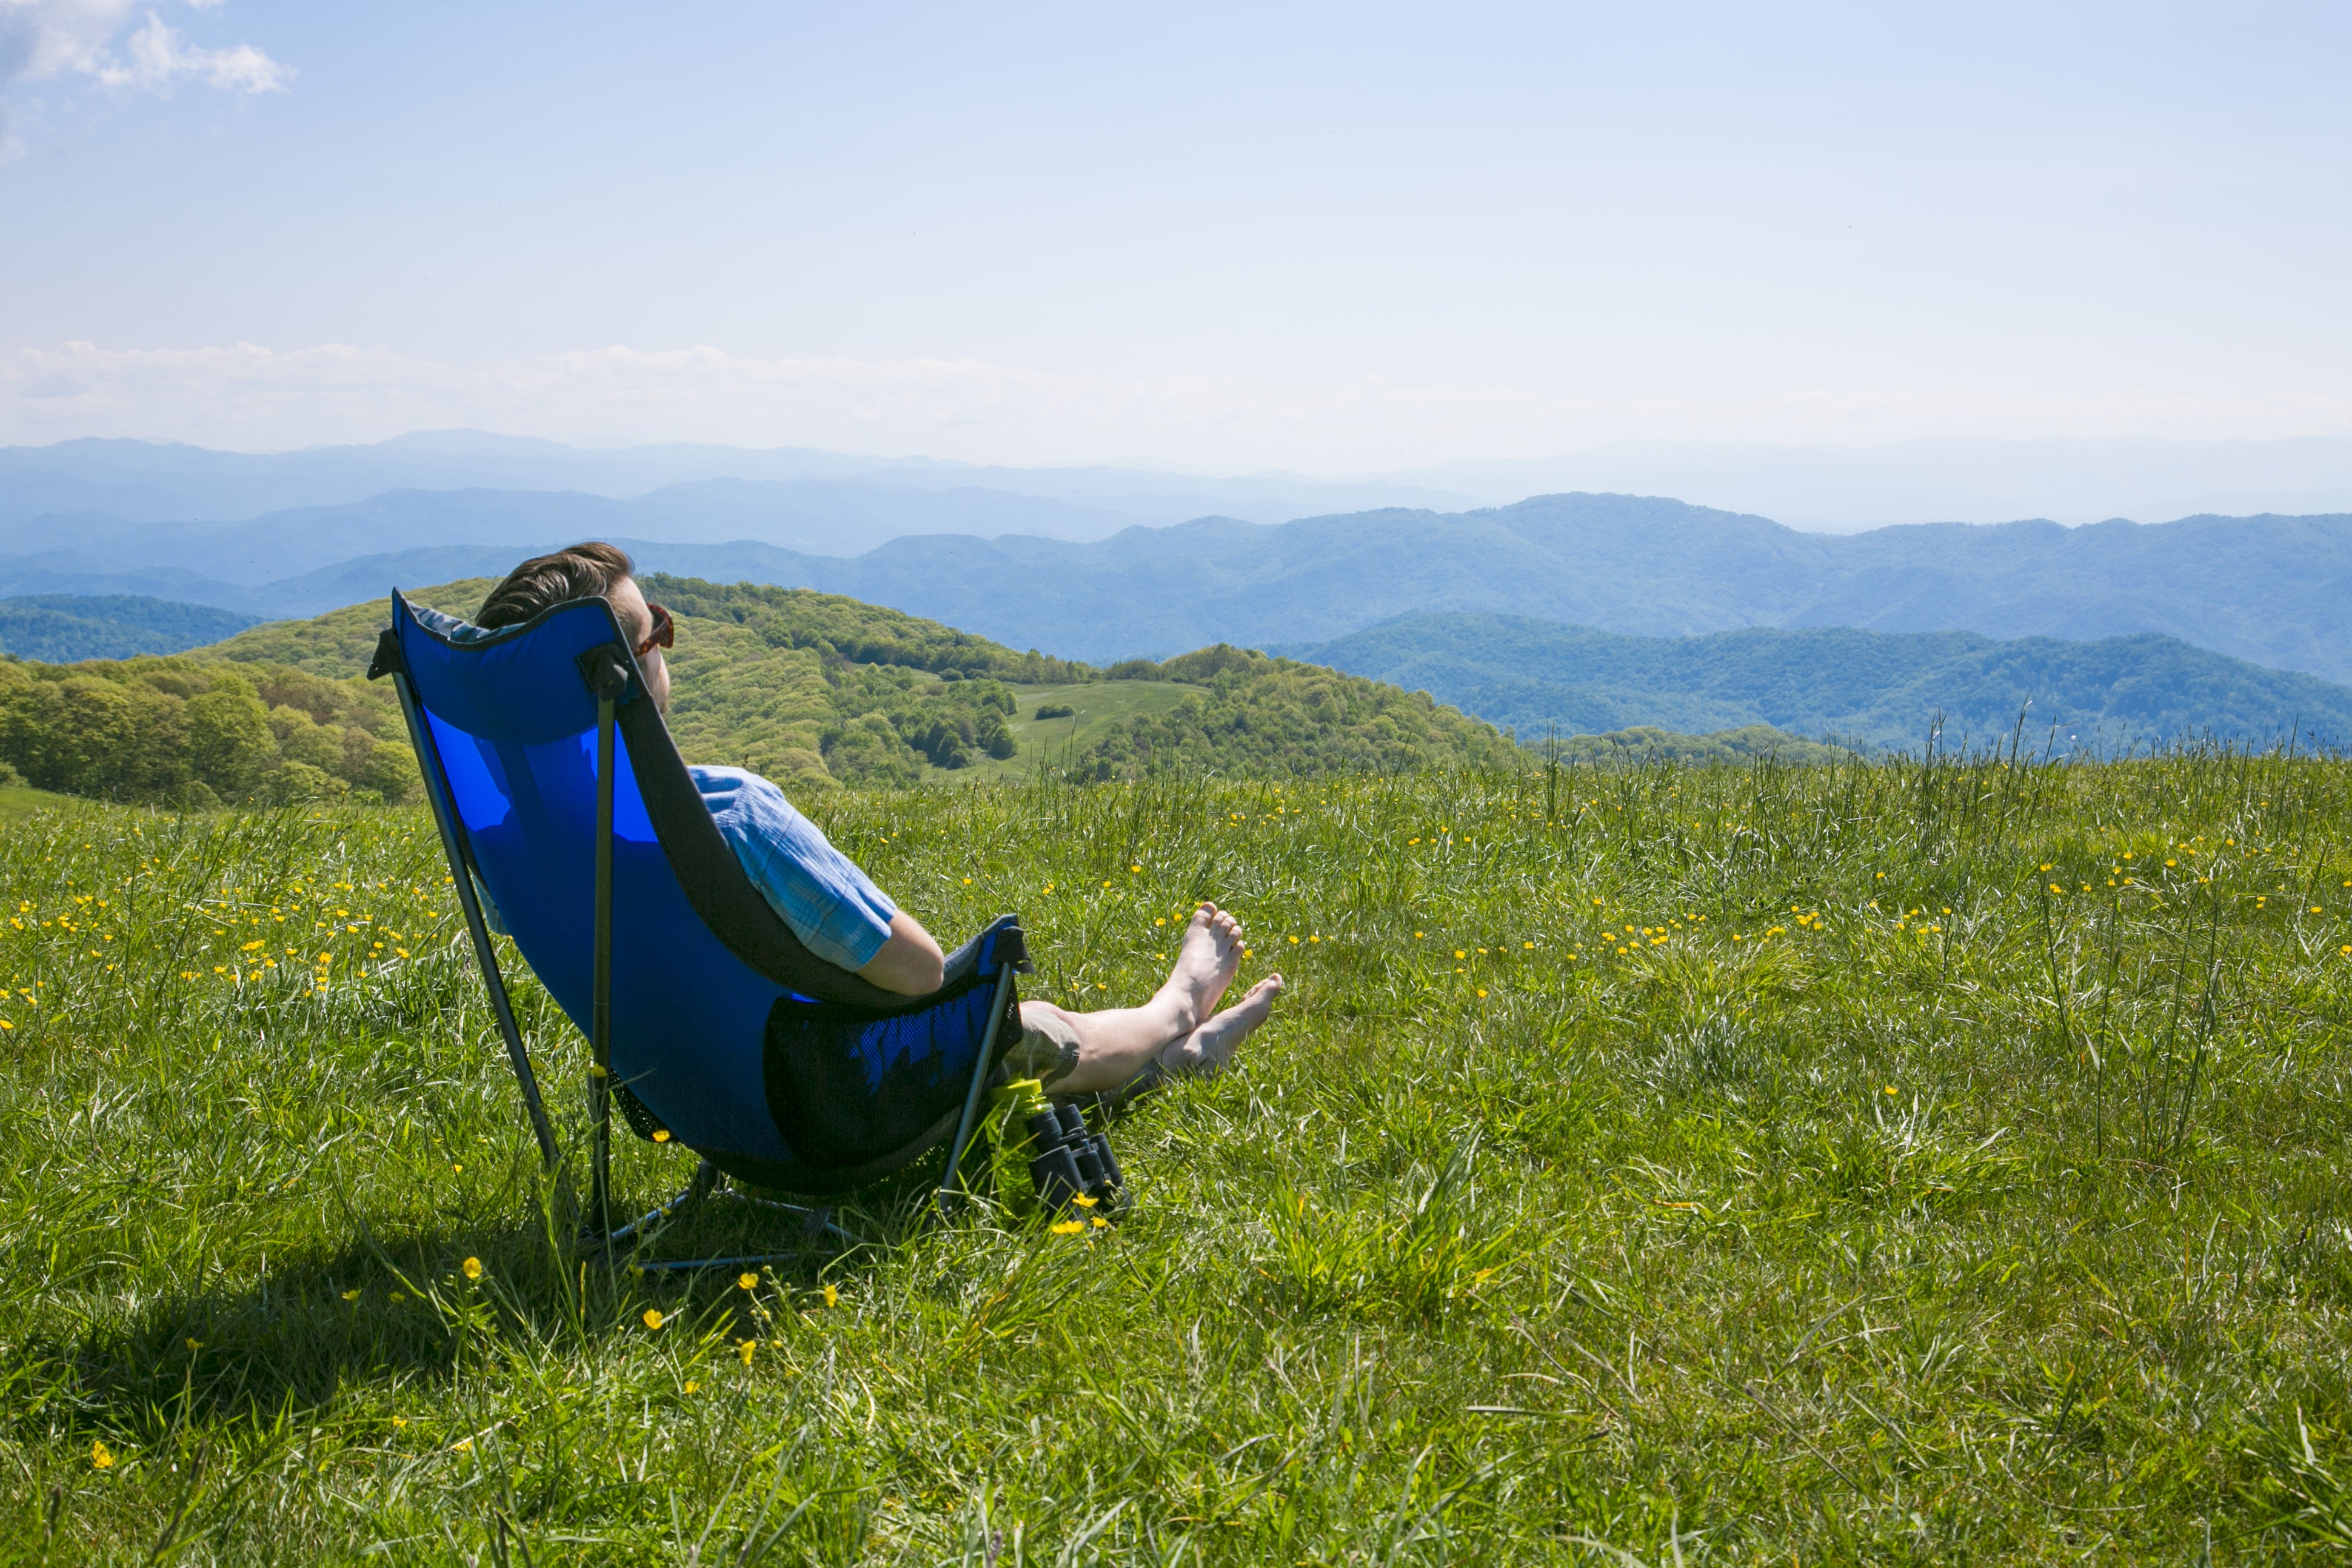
(561, 796)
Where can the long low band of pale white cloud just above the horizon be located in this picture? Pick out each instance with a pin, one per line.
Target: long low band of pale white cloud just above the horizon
(260, 398)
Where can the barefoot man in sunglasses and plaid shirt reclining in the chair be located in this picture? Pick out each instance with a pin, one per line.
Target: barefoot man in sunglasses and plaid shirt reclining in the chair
(843, 918)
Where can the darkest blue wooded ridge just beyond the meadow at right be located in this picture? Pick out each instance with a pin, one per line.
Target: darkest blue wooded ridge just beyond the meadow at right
(1843, 685)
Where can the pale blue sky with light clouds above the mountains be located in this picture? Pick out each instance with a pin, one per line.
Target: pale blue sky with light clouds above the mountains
(1323, 239)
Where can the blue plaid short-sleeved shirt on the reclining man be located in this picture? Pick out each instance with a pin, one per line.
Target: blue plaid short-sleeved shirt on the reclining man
(817, 890)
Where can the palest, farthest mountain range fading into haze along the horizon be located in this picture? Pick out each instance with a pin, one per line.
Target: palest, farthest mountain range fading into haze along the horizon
(1824, 488)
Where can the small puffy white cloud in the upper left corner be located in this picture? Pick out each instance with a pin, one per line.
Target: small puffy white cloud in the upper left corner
(65, 39)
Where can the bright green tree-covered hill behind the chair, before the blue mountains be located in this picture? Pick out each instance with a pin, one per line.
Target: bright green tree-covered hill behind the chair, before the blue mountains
(810, 690)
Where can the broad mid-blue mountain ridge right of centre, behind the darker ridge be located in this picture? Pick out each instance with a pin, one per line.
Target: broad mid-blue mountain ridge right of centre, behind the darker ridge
(2259, 589)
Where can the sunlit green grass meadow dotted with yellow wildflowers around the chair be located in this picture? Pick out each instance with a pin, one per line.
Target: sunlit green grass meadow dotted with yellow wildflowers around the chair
(1671, 1165)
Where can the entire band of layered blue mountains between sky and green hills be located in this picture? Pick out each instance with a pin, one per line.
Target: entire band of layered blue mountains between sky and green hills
(1598, 612)
